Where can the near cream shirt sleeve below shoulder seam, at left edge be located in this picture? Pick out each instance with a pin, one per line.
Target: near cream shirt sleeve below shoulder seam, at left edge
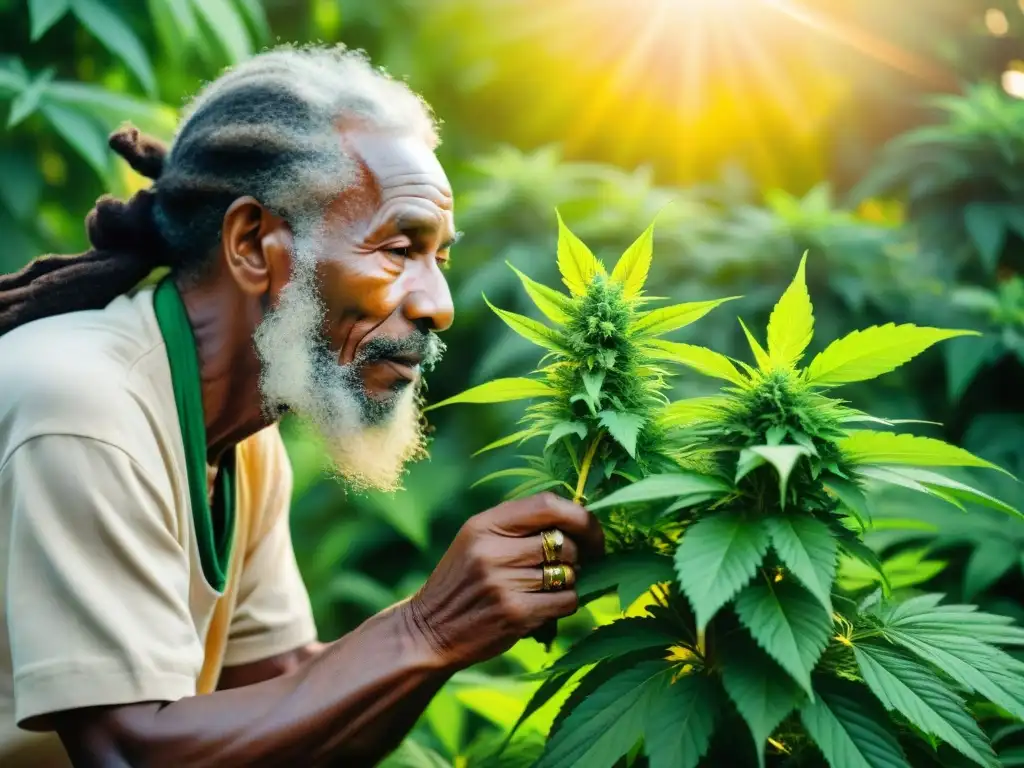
(98, 581)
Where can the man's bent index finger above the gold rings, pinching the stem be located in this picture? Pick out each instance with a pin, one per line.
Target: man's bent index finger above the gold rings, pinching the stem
(534, 515)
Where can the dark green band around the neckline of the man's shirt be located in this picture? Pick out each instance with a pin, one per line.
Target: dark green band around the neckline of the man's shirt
(215, 528)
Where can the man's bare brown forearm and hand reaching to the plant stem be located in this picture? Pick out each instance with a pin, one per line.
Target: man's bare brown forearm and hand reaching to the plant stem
(354, 703)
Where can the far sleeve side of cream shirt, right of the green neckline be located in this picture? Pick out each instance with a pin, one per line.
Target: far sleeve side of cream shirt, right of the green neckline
(273, 615)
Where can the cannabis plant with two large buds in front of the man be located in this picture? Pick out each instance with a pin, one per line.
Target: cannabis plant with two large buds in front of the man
(727, 517)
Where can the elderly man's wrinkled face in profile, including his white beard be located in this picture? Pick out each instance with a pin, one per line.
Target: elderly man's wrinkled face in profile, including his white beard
(354, 330)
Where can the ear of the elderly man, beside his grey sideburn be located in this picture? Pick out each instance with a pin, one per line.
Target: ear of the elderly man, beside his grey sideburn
(257, 247)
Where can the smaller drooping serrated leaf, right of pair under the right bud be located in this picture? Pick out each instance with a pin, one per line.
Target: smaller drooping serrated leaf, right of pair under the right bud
(809, 550)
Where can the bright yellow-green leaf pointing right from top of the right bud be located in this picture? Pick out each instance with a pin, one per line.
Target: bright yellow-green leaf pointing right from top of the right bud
(874, 352)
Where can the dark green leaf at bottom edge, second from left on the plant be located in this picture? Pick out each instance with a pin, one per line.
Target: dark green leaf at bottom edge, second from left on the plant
(681, 722)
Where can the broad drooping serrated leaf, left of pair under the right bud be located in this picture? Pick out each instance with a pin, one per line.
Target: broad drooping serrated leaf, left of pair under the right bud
(716, 559)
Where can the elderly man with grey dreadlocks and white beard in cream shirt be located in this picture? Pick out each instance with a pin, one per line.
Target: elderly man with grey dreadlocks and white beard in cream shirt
(154, 613)
